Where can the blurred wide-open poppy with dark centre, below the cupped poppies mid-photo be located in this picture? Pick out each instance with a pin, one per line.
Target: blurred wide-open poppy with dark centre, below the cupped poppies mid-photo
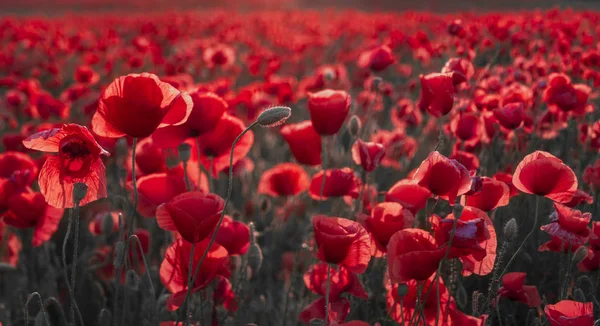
(285, 179)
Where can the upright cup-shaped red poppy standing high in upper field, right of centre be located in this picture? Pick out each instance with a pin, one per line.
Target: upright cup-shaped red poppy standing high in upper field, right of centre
(437, 93)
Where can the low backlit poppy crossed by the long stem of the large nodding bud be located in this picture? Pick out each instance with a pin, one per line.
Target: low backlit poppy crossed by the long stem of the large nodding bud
(174, 271)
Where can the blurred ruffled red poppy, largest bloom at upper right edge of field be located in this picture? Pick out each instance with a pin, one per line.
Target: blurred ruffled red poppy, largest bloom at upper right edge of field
(562, 94)
